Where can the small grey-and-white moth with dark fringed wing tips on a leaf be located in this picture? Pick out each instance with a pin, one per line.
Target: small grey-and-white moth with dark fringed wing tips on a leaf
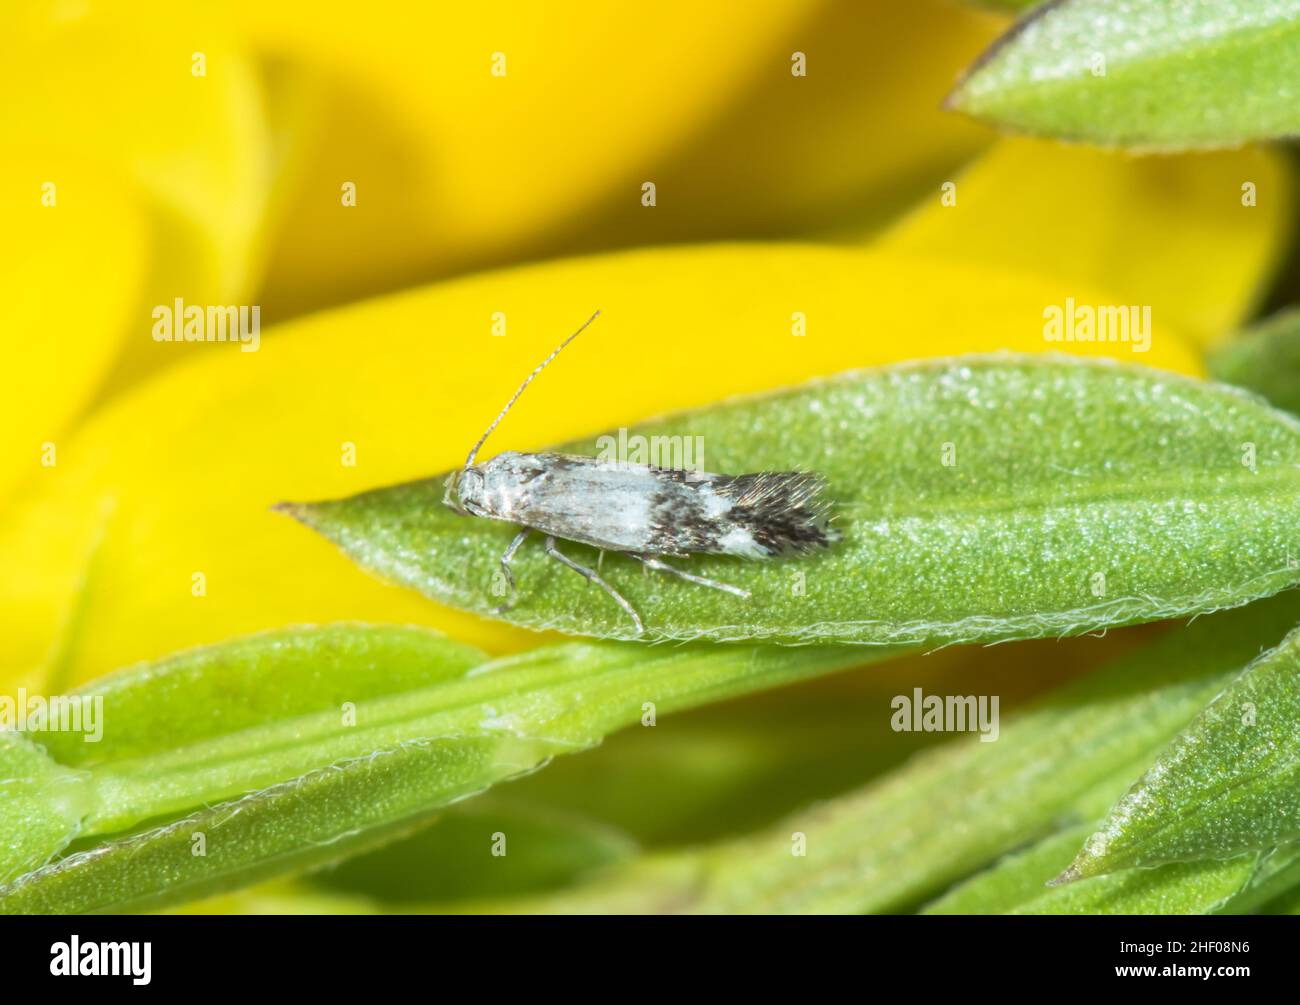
(636, 510)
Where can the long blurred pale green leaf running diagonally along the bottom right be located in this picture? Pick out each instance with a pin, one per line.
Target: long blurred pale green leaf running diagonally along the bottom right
(954, 811)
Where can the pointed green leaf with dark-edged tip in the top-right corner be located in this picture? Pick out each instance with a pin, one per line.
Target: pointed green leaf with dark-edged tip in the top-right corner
(1162, 75)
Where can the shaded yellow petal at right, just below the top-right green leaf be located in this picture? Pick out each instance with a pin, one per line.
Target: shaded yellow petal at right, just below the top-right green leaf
(1172, 233)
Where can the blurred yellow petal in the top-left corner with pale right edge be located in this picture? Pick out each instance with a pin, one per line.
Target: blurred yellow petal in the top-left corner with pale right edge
(119, 89)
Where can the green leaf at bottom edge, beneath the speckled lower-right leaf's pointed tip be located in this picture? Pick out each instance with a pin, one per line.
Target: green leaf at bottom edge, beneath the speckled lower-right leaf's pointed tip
(1019, 886)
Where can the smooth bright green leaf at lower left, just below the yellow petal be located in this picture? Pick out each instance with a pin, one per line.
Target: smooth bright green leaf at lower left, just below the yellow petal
(226, 721)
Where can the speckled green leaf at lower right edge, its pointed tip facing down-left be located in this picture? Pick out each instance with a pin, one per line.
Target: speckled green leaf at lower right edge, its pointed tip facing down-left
(1229, 783)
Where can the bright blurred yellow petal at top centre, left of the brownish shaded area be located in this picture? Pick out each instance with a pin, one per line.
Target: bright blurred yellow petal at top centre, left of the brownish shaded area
(469, 129)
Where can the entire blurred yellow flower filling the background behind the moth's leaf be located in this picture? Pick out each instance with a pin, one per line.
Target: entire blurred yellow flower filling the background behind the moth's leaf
(422, 200)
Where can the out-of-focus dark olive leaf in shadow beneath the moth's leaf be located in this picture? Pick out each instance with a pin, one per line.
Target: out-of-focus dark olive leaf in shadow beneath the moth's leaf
(729, 770)
